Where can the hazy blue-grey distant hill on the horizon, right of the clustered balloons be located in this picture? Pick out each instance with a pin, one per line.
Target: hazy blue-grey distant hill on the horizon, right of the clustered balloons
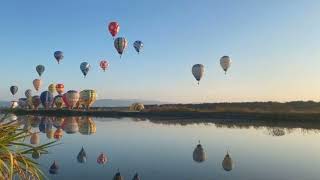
(123, 102)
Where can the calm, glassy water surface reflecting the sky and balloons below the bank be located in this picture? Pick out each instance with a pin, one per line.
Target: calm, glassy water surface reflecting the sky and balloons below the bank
(164, 151)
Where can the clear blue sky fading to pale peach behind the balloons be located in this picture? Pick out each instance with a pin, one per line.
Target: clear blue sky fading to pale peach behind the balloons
(274, 46)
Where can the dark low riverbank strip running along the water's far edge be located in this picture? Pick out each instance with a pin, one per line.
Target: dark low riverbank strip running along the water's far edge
(268, 116)
